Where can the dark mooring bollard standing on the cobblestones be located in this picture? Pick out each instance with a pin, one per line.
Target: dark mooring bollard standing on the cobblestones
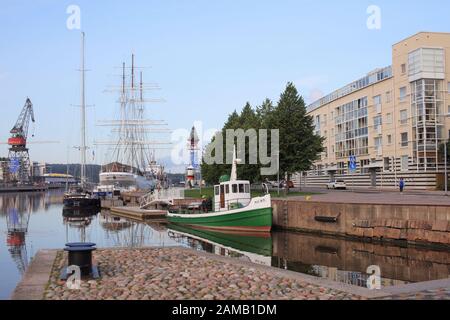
(80, 254)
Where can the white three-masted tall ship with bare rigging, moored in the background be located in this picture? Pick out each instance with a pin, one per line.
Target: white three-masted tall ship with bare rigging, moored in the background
(132, 152)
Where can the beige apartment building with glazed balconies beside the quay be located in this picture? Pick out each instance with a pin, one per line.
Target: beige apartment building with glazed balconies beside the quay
(393, 120)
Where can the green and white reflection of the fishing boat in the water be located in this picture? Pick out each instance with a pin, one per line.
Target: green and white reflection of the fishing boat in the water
(254, 247)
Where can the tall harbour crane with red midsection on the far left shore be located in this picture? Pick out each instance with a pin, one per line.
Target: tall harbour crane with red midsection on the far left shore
(19, 159)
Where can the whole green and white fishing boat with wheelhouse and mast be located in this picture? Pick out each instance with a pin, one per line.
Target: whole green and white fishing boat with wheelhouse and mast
(234, 210)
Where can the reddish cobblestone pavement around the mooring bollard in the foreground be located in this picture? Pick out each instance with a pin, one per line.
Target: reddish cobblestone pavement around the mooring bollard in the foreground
(173, 273)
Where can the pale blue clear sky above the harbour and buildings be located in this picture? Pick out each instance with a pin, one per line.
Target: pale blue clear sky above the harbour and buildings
(208, 57)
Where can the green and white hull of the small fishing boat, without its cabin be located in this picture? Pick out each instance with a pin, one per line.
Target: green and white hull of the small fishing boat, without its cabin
(256, 217)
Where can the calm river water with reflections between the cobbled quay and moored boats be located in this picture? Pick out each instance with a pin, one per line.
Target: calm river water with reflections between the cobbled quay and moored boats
(33, 221)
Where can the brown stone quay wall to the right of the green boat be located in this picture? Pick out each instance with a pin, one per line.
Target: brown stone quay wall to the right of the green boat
(416, 224)
